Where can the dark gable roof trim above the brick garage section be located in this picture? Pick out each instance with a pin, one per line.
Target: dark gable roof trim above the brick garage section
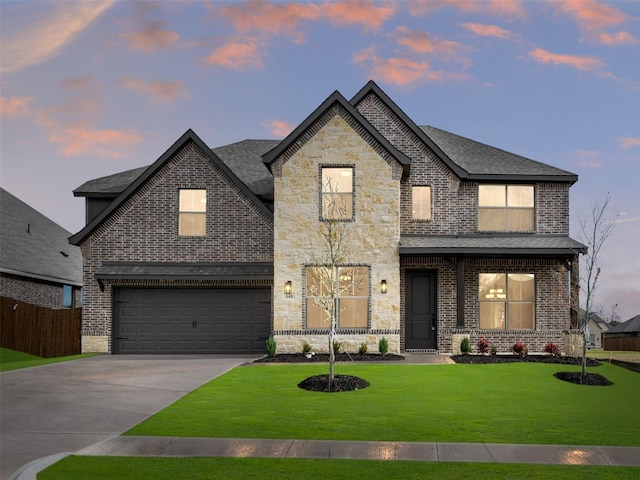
(187, 137)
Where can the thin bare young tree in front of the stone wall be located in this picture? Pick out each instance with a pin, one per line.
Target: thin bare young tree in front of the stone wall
(331, 278)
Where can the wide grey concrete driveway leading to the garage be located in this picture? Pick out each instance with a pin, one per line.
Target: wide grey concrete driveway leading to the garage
(68, 406)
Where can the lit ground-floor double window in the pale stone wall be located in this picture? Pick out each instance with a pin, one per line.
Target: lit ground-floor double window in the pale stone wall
(346, 288)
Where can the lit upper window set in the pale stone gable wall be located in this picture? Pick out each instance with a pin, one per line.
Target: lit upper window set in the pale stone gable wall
(337, 193)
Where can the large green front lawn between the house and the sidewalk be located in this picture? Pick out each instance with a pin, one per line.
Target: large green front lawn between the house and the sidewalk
(506, 403)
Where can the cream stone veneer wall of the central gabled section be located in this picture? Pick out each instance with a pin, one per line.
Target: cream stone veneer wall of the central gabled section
(373, 236)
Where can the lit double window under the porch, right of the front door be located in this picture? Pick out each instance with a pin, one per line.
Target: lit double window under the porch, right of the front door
(507, 301)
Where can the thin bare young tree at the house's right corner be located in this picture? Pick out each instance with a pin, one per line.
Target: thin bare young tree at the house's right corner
(594, 232)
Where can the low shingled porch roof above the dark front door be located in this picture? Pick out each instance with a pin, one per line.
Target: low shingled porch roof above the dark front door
(490, 245)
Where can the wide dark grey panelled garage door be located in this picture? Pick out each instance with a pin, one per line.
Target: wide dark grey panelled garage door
(181, 320)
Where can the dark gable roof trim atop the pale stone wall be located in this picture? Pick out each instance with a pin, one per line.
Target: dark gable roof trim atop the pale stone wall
(334, 99)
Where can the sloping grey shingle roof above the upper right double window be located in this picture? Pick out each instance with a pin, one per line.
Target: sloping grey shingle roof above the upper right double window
(481, 161)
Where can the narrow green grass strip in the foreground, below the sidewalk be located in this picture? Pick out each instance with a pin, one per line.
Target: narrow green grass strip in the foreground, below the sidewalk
(135, 468)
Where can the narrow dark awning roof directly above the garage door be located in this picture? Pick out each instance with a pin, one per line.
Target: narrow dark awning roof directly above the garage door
(185, 271)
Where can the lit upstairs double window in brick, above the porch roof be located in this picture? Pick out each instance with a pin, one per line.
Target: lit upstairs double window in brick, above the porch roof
(505, 208)
